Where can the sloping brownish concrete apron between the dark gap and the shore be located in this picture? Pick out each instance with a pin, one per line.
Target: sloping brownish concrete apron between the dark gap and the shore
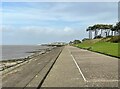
(36, 68)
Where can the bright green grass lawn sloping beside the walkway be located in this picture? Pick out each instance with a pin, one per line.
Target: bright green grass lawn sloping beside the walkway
(102, 47)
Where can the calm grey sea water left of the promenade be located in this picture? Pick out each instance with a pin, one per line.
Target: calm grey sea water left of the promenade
(19, 51)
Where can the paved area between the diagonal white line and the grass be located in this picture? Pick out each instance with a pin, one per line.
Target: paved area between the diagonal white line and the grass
(99, 70)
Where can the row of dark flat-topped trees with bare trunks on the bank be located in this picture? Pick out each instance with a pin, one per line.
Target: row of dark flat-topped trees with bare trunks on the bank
(103, 30)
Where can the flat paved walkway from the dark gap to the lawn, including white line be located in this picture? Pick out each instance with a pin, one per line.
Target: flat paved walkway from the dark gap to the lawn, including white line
(81, 68)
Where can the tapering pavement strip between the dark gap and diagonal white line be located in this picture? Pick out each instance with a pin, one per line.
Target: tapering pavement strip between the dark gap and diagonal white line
(64, 73)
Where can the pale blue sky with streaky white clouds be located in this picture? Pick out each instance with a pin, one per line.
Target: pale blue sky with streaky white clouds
(46, 22)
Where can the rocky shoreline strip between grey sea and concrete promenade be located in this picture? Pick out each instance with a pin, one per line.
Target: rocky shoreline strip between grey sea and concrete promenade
(11, 63)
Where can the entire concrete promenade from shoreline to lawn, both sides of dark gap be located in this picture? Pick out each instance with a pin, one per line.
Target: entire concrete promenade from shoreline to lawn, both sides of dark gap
(73, 67)
